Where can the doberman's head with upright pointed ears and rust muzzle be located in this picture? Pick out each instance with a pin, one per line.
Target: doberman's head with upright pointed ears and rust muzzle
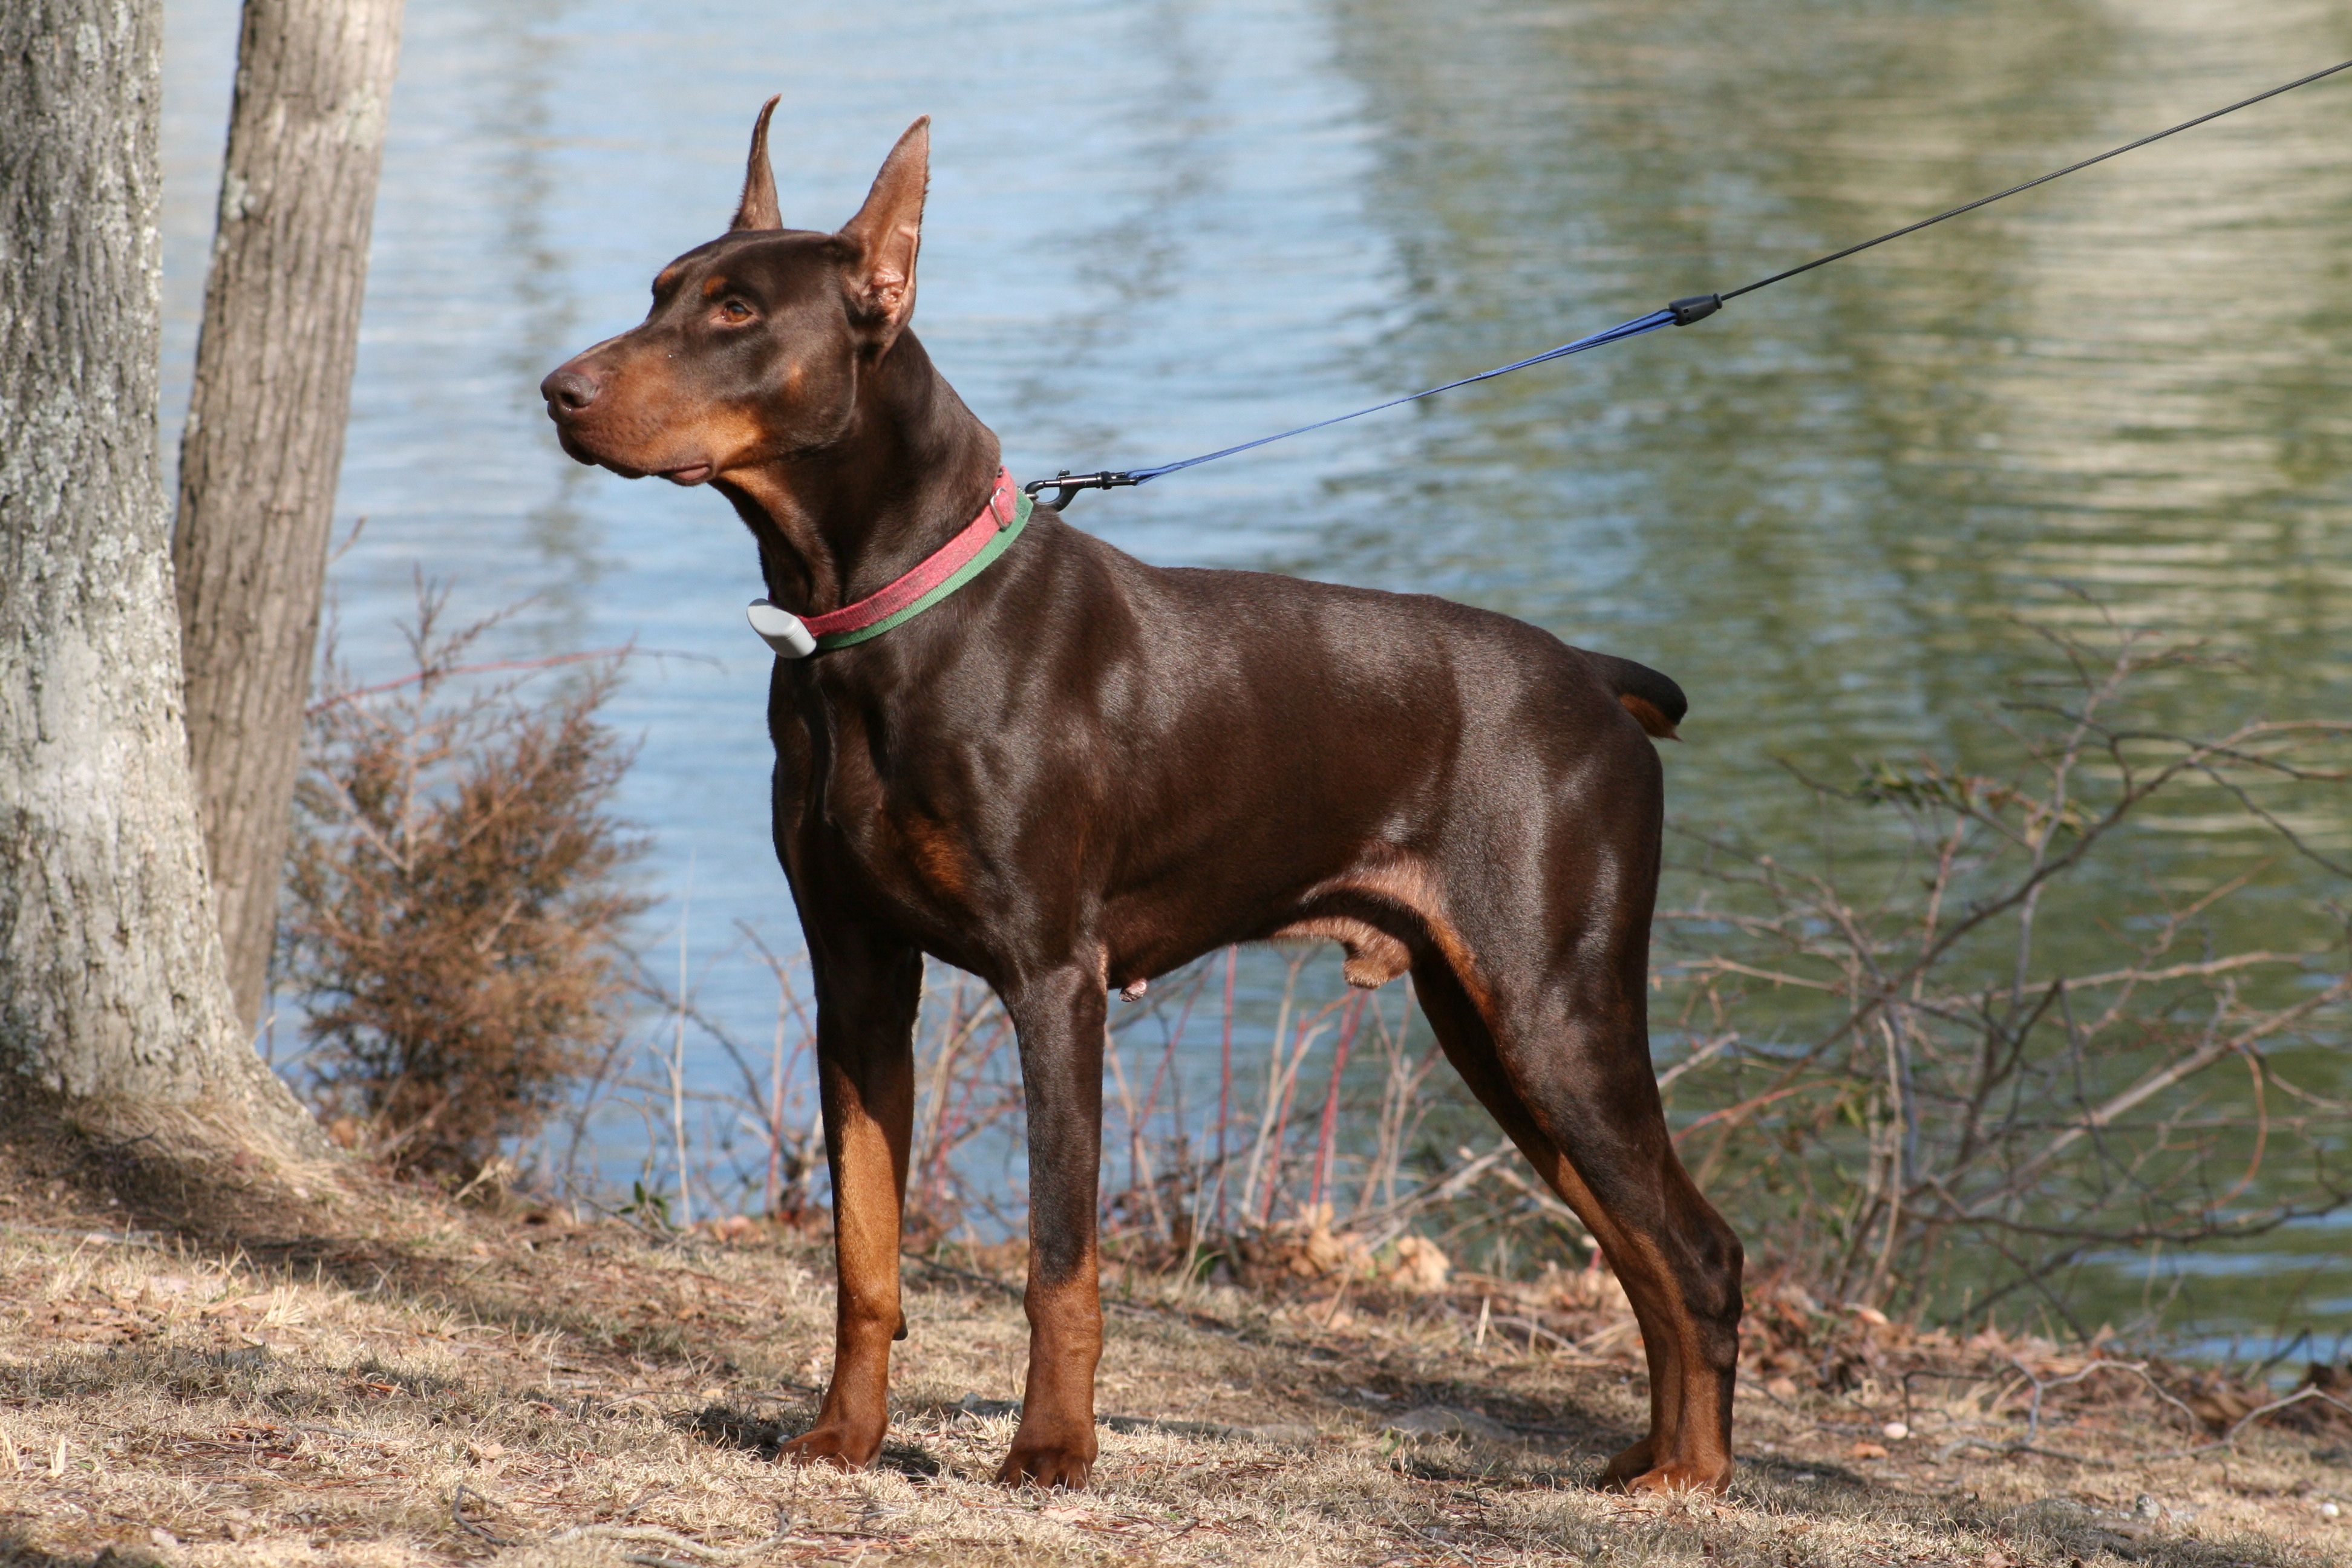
(756, 342)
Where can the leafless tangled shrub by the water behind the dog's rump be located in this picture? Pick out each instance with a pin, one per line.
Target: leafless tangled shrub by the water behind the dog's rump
(2047, 1036)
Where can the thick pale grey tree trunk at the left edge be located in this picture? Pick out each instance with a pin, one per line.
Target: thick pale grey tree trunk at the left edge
(112, 974)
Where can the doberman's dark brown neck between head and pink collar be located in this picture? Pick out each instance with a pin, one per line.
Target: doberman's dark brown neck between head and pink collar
(843, 521)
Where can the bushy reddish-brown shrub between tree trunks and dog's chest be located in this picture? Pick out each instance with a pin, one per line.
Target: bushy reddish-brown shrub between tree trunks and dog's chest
(457, 911)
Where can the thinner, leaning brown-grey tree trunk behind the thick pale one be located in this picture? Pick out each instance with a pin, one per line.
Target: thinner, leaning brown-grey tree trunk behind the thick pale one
(265, 434)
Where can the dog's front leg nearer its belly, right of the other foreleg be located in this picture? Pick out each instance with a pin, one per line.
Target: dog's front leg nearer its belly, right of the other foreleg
(1060, 1019)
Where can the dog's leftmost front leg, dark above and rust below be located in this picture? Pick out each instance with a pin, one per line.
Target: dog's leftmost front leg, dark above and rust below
(867, 998)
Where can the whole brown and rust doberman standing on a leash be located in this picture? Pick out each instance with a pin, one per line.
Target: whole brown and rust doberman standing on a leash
(1083, 772)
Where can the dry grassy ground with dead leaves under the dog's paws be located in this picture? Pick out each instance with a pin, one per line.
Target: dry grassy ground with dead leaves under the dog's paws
(241, 1365)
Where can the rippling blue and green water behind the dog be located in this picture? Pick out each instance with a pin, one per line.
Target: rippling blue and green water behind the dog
(1158, 229)
